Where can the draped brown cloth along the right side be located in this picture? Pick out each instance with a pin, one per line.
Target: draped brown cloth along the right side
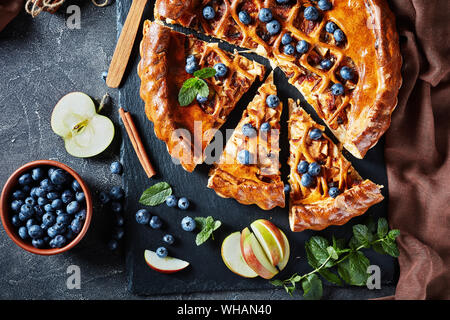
(417, 151)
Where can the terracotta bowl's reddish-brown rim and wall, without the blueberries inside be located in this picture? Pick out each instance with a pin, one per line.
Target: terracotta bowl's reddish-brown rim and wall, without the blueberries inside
(5, 210)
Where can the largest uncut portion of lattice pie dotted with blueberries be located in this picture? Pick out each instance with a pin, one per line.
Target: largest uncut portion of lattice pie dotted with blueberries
(348, 69)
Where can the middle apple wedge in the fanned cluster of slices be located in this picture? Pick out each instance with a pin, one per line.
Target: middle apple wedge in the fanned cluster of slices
(255, 257)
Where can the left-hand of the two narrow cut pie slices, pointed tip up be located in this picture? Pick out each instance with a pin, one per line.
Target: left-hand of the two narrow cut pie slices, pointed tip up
(249, 168)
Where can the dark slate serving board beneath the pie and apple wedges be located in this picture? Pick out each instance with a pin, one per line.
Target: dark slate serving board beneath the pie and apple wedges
(207, 271)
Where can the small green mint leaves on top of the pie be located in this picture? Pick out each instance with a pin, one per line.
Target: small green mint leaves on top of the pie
(193, 86)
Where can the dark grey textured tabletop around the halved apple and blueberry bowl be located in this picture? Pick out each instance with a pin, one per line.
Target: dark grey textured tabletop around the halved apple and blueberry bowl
(42, 60)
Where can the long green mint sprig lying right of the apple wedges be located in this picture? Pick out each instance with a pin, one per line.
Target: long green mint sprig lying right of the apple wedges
(339, 263)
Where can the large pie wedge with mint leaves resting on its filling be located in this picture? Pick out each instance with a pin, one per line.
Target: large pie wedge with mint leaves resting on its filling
(162, 69)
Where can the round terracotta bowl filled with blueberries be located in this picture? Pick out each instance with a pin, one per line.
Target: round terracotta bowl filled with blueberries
(46, 207)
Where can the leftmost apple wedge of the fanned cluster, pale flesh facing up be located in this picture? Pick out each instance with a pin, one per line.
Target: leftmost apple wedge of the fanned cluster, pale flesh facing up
(232, 256)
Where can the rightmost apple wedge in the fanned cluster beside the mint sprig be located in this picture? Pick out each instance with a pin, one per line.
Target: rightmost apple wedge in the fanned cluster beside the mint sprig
(270, 238)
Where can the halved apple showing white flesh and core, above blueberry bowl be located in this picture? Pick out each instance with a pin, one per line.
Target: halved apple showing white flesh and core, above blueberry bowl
(85, 132)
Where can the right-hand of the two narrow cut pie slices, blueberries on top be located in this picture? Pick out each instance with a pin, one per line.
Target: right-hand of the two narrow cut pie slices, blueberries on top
(325, 188)
